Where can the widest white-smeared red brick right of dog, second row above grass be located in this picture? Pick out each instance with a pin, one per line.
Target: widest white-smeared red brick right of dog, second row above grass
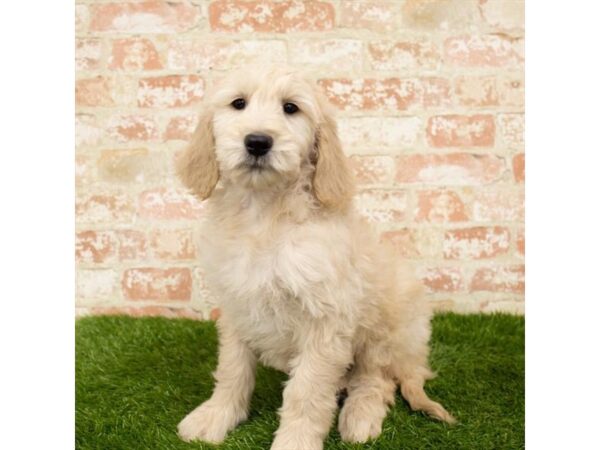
(476, 242)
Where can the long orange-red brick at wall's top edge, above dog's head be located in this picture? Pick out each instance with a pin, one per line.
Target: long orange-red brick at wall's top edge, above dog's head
(270, 16)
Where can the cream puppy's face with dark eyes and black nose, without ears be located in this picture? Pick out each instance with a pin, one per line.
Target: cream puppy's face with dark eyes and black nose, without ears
(264, 127)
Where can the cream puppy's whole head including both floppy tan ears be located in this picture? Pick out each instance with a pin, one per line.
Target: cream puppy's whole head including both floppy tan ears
(260, 130)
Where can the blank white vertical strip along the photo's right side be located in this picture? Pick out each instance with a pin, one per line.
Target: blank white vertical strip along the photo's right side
(563, 225)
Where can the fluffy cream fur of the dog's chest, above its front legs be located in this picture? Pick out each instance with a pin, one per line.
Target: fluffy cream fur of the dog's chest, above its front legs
(269, 287)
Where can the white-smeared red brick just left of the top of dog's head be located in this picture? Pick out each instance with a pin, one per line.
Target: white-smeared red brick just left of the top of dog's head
(170, 91)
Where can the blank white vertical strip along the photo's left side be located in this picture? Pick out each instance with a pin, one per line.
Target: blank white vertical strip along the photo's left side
(37, 226)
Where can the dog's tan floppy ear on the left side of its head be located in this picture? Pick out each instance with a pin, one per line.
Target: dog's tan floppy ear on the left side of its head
(197, 167)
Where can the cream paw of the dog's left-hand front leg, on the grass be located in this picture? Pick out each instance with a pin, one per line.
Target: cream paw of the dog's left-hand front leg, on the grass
(209, 423)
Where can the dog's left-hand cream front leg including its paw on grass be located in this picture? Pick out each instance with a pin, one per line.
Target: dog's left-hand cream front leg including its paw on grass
(230, 400)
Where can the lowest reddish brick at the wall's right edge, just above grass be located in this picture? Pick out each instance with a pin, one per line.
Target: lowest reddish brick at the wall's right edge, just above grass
(499, 279)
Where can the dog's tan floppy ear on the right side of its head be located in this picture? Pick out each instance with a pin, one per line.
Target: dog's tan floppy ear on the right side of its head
(333, 183)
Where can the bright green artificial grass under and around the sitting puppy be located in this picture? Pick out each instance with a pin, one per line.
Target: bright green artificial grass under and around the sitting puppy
(137, 378)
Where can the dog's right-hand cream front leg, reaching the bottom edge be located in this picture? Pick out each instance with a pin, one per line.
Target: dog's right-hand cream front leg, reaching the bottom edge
(309, 398)
